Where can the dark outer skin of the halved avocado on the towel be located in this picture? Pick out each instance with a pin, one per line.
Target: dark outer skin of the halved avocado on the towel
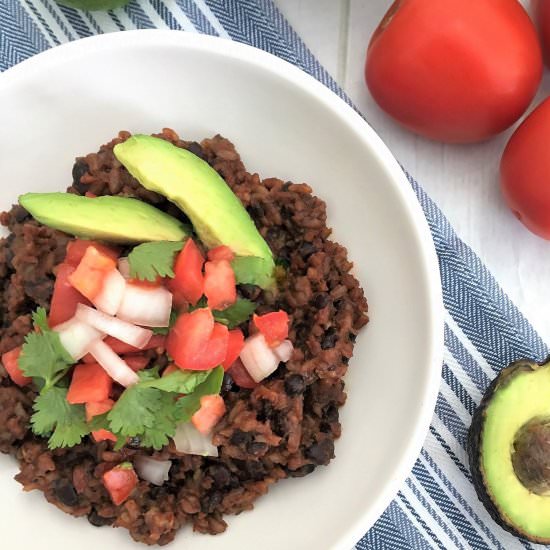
(473, 445)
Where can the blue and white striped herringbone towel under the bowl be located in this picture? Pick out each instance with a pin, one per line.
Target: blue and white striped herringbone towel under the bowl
(436, 506)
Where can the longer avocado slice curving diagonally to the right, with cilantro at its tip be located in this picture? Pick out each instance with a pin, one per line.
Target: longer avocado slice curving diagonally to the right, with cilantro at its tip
(218, 216)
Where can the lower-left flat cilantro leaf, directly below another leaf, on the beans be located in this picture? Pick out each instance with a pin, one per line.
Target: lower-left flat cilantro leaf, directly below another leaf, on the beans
(54, 416)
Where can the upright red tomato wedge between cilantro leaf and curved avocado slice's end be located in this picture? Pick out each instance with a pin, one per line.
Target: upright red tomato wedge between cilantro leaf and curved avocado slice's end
(188, 281)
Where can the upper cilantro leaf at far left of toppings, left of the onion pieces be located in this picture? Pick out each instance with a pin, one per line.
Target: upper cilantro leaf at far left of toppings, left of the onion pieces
(44, 357)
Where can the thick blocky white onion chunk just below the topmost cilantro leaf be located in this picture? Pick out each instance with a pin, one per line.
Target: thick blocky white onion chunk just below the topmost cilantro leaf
(146, 306)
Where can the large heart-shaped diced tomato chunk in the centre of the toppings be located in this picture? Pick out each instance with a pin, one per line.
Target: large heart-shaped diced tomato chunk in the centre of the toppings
(196, 342)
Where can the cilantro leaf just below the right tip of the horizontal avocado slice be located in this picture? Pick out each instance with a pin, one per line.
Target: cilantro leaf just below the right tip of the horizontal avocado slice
(150, 260)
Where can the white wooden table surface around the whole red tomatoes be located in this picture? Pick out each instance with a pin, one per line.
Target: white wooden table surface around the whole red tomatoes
(463, 180)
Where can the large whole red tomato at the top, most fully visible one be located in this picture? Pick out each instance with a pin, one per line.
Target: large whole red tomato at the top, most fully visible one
(454, 71)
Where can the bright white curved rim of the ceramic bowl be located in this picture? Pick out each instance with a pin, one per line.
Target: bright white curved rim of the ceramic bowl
(371, 140)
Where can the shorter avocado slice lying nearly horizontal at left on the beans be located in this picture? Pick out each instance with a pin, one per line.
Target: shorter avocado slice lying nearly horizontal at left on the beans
(114, 219)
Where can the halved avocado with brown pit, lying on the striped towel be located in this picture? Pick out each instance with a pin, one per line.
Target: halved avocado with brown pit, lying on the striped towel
(509, 450)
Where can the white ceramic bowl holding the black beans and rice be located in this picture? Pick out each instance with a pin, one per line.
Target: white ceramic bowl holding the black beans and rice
(69, 100)
